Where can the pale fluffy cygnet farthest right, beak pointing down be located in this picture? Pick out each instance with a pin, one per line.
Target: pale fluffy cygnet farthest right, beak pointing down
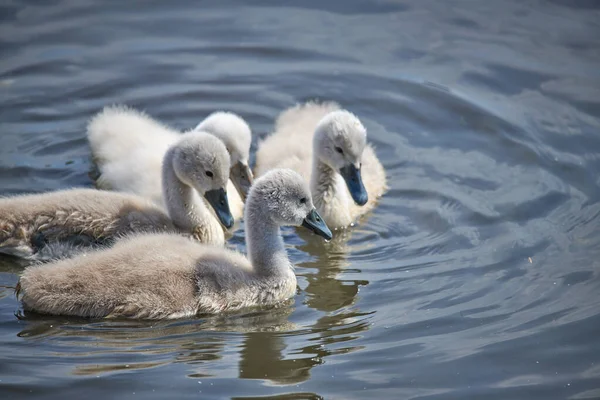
(336, 165)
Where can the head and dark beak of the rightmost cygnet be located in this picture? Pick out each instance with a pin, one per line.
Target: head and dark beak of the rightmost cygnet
(339, 141)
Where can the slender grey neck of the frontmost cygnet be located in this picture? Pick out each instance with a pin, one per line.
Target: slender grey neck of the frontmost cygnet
(266, 249)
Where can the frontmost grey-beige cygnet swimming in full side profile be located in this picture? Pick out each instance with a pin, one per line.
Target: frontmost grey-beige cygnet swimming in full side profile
(156, 276)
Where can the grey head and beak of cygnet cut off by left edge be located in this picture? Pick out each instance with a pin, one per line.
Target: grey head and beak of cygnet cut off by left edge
(201, 161)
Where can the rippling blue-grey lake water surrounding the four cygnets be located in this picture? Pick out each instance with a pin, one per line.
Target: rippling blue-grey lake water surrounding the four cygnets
(478, 276)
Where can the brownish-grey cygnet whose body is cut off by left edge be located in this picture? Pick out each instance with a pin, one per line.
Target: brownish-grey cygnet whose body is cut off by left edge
(197, 165)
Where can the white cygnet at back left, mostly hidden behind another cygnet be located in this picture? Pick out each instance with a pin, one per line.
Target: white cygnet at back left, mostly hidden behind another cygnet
(128, 147)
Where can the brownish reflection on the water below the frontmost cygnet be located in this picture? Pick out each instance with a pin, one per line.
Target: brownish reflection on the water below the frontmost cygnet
(268, 343)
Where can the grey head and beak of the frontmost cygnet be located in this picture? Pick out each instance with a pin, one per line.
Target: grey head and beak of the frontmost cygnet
(282, 196)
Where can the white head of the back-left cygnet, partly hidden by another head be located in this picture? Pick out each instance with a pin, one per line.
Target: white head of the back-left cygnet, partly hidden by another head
(237, 137)
